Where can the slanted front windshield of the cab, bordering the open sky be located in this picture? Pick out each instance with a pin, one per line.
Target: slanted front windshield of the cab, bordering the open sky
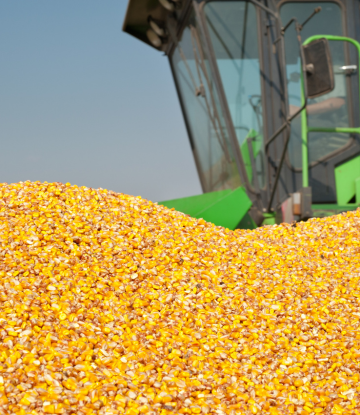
(203, 112)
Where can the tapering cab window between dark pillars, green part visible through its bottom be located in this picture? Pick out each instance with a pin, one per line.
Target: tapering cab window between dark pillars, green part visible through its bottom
(233, 29)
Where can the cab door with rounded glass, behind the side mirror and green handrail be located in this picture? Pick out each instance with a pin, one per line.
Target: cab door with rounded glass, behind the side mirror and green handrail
(330, 117)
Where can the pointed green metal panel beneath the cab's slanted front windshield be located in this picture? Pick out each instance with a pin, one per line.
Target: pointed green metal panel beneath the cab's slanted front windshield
(223, 208)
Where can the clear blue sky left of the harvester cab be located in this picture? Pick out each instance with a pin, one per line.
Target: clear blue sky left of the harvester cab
(83, 102)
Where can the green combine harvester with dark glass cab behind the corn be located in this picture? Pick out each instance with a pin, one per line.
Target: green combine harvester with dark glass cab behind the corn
(270, 96)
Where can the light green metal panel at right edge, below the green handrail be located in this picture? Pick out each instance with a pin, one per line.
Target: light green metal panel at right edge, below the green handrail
(345, 176)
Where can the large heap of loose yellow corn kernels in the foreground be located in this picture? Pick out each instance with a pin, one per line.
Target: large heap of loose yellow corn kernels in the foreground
(111, 304)
